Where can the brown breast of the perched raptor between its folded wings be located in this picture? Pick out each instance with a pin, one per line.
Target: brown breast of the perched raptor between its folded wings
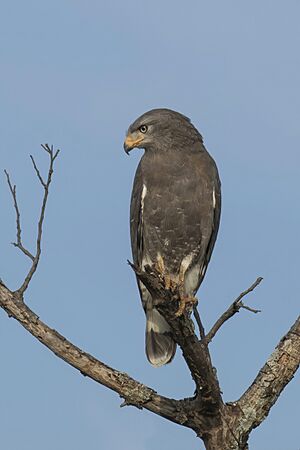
(170, 212)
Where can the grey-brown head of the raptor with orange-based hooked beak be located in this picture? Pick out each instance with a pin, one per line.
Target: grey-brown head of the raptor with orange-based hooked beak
(158, 129)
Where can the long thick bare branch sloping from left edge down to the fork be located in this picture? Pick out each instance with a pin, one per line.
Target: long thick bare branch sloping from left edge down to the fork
(133, 392)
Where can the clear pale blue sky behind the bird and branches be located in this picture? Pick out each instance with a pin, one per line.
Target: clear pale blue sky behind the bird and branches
(75, 74)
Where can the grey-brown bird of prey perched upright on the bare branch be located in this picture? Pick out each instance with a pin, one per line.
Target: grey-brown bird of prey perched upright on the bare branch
(174, 213)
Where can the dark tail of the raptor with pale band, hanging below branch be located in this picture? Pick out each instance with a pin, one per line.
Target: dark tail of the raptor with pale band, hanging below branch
(160, 347)
